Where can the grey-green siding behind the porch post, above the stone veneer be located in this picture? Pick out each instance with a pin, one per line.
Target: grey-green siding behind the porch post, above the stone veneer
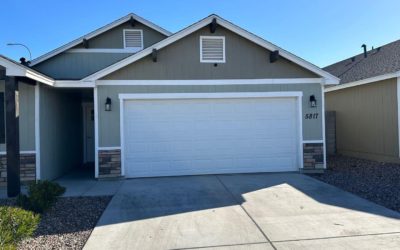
(27, 117)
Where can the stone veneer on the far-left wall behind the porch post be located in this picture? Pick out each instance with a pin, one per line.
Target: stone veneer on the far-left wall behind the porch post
(27, 168)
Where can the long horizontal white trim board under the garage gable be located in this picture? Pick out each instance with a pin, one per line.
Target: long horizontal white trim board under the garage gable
(209, 82)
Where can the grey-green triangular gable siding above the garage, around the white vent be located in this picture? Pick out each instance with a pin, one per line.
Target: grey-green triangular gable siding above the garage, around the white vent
(181, 60)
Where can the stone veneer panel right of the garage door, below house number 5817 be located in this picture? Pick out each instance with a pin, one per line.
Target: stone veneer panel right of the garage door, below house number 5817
(313, 156)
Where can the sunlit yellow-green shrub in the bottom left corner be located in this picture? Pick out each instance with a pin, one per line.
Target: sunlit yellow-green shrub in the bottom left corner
(16, 224)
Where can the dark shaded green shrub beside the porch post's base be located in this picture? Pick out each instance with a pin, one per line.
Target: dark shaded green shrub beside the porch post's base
(41, 196)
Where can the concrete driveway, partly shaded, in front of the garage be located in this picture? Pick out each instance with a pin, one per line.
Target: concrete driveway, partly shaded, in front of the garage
(252, 211)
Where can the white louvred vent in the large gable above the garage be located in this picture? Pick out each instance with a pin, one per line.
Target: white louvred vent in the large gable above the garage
(212, 49)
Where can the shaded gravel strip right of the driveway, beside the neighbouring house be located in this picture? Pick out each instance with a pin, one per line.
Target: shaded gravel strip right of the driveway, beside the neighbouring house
(375, 181)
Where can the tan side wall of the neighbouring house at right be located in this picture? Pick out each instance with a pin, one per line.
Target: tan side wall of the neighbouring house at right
(366, 120)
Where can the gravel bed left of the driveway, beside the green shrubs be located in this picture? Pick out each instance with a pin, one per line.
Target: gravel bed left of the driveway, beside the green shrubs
(68, 224)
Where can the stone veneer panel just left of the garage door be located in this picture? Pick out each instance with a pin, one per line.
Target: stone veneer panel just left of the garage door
(109, 163)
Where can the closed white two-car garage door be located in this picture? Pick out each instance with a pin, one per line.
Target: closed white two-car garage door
(208, 136)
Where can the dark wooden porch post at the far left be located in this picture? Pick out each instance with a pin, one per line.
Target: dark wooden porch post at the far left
(12, 136)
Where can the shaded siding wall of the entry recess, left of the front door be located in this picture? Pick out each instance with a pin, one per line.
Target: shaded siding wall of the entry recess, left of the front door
(60, 132)
